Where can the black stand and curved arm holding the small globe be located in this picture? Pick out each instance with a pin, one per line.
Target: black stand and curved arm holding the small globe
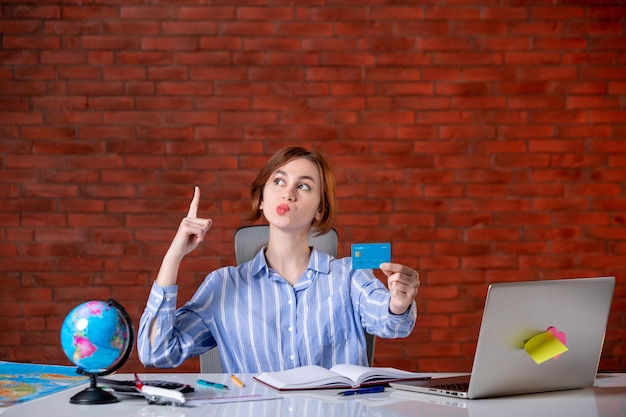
(93, 394)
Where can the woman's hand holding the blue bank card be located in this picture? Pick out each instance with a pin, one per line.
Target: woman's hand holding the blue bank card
(403, 283)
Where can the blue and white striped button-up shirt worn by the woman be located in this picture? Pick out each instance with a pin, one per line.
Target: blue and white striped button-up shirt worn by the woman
(262, 323)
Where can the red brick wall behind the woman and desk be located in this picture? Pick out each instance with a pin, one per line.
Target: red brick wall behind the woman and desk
(485, 141)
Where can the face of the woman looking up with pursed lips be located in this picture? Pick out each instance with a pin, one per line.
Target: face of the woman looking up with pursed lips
(292, 194)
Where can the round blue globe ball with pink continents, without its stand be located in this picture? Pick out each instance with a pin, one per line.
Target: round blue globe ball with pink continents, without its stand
(95, 336)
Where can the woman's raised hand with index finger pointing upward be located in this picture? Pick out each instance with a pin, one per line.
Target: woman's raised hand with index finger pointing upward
(191, 231)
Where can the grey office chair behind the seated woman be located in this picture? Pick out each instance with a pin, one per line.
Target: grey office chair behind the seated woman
(248, 241)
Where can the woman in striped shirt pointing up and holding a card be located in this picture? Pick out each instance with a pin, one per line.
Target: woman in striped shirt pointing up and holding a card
(291, 305)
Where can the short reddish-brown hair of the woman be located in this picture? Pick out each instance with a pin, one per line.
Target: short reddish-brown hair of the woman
(327, 198)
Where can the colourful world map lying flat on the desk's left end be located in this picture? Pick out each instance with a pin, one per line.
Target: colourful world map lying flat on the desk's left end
(21, 382)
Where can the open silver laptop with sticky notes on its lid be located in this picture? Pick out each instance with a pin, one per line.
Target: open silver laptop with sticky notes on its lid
(514, 313)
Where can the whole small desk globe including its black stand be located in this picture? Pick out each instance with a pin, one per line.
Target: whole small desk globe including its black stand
(98, 338)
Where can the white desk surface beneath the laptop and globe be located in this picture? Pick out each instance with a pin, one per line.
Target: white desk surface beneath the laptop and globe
(607, 398)
